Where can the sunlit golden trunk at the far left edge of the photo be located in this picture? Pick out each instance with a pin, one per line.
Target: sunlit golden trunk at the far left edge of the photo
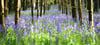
(2, 14)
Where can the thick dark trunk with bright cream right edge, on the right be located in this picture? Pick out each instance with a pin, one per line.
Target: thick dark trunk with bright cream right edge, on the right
(90, 12)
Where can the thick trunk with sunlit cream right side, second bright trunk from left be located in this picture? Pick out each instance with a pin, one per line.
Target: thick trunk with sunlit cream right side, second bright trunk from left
(17, 7)
